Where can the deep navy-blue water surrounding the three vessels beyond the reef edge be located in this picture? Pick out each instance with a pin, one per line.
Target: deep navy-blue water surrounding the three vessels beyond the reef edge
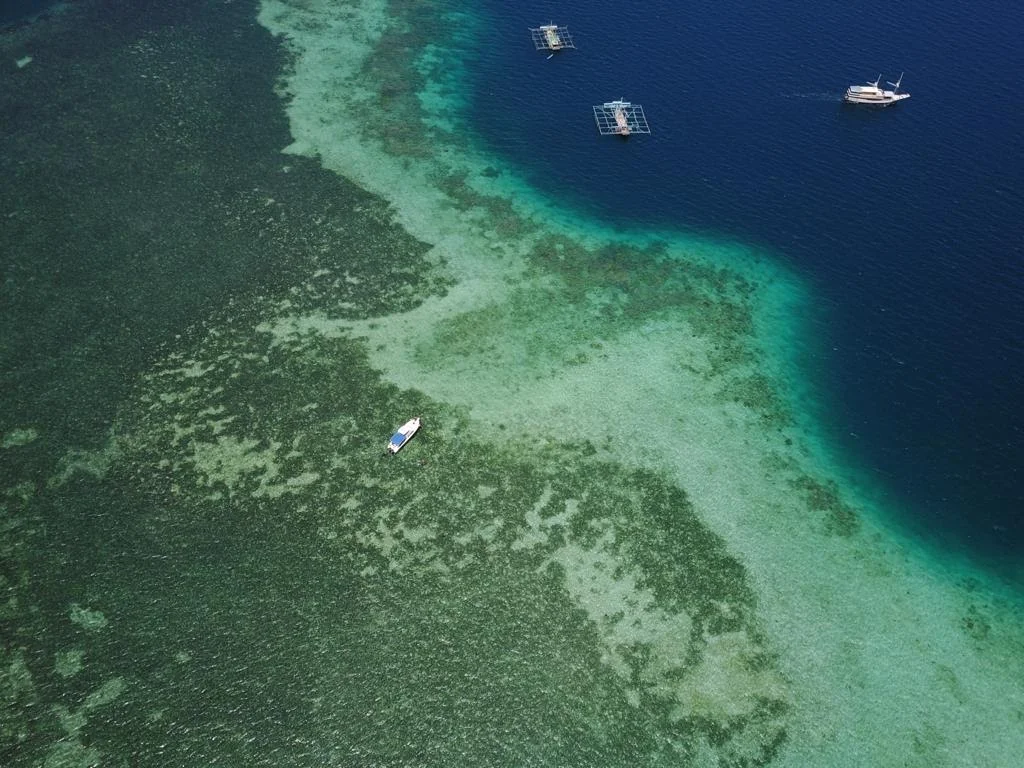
(907, 223)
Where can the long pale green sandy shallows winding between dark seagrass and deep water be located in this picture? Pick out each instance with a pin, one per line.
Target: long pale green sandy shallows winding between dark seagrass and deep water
(871, 632)
